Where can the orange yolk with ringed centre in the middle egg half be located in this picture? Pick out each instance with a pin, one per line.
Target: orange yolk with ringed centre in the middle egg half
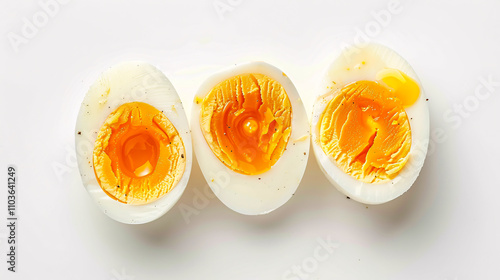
(246, 121)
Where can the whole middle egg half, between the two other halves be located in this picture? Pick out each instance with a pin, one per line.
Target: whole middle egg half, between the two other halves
(251, 137)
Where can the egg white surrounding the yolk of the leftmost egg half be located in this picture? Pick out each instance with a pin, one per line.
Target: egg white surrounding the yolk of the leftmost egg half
(123, 83)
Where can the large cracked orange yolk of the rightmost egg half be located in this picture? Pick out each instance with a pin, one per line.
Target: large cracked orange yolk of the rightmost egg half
(366, 130)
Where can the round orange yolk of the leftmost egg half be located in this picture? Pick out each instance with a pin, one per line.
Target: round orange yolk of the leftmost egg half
(138, 155)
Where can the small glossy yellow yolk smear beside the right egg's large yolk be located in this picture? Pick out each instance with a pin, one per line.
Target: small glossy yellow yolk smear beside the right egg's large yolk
(403, 87)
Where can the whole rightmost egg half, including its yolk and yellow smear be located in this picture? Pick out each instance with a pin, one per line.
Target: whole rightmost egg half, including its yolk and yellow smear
(370, 124)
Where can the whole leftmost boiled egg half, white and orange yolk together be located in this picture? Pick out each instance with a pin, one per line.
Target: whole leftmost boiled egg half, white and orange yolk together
(133, 143)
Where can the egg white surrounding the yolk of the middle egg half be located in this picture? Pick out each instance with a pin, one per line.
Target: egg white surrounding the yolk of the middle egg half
(262, 193)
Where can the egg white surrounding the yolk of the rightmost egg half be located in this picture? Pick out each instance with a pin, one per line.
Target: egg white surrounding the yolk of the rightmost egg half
(376, 57)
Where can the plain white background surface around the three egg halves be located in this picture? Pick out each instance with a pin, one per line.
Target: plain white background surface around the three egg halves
(446, 226)
